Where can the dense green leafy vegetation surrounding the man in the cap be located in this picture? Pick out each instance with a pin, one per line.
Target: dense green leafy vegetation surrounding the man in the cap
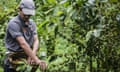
(75, 35)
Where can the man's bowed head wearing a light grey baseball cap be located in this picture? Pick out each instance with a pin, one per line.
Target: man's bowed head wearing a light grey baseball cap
(27, 8)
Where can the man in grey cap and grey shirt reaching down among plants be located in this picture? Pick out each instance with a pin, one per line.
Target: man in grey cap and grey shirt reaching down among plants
(21, 38)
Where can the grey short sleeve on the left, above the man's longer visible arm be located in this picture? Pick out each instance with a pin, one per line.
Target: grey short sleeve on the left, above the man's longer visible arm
(14, 30)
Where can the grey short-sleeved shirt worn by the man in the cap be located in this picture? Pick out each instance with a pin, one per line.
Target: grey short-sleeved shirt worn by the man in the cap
(17, 27)
